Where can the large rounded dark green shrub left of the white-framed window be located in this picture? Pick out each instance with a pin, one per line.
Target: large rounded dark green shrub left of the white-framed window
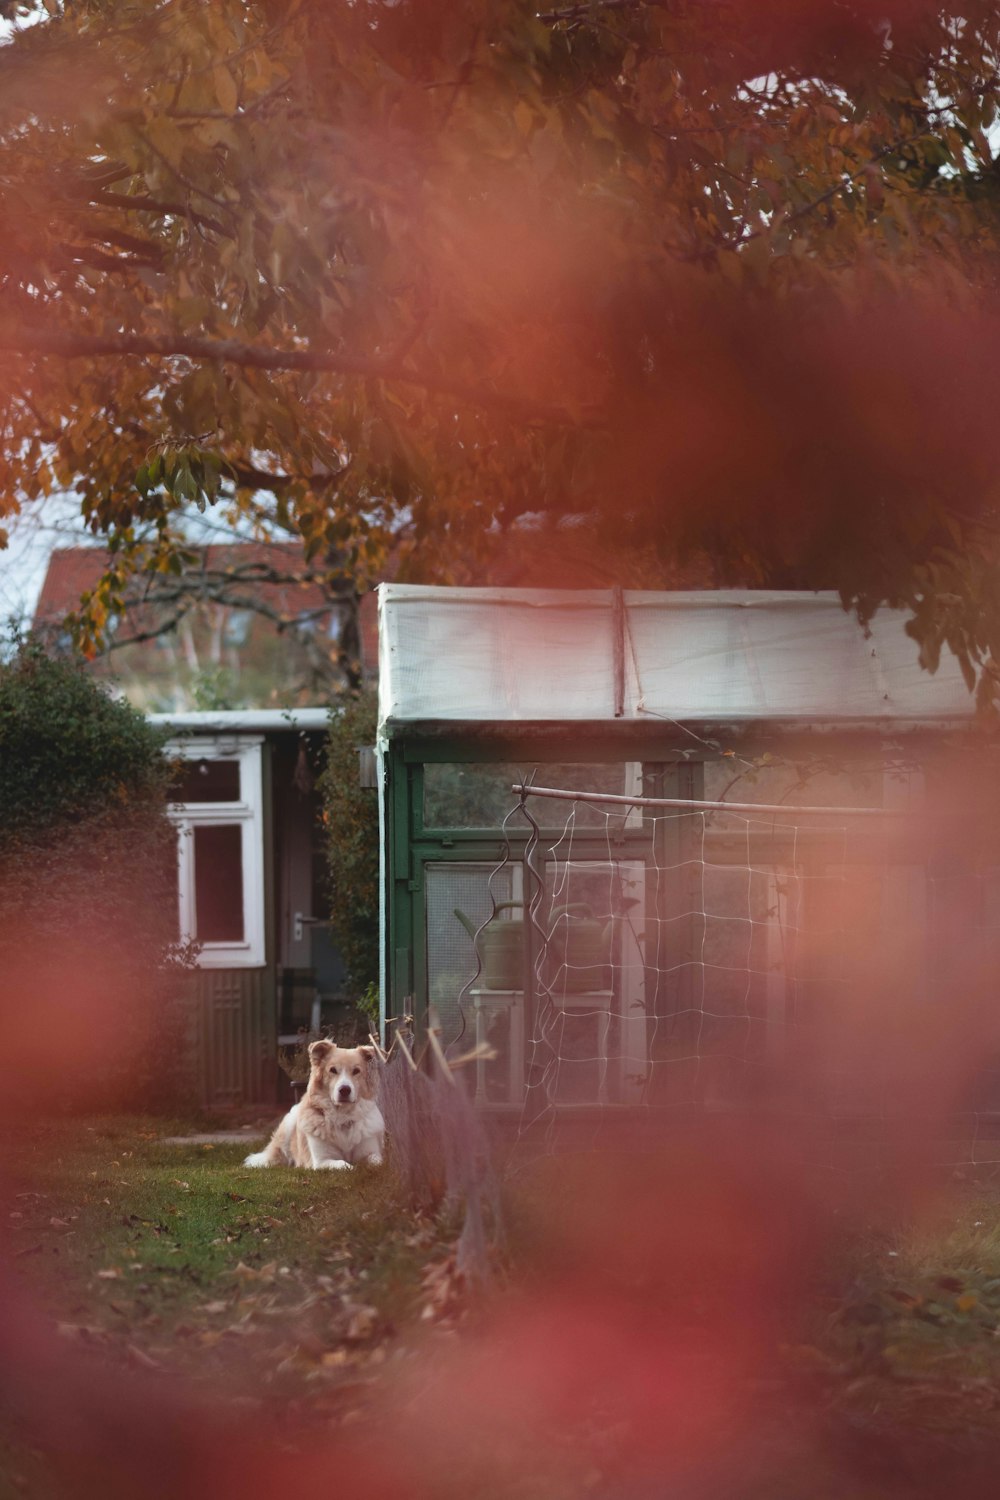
(95, 989)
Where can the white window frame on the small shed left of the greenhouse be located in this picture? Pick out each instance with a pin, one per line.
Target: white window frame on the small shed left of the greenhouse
(248, 815)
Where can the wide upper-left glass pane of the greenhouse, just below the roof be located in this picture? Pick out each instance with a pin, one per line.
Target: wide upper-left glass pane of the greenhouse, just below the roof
(472, 796)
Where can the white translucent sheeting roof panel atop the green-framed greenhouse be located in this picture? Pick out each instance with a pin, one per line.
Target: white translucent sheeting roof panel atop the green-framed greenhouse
(531, 656)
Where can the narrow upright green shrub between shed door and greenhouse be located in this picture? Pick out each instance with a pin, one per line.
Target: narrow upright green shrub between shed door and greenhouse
(350, 815)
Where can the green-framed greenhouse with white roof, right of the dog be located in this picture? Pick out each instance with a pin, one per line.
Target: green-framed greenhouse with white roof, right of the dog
(639, 847)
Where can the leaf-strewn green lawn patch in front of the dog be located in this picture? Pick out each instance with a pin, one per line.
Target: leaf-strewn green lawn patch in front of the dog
(176, 1256)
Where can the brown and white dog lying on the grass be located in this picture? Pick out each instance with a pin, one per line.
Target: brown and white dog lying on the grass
(337, 1123)
